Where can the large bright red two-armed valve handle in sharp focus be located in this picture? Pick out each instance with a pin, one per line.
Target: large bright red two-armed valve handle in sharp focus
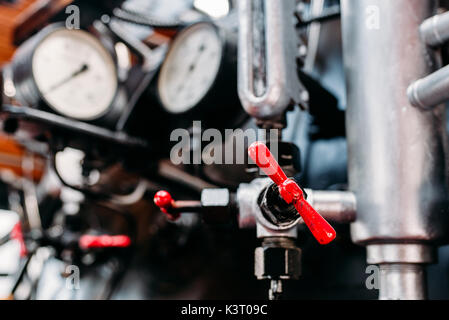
(292, 193)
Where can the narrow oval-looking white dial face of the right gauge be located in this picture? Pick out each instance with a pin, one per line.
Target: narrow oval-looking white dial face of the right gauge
(190, 68)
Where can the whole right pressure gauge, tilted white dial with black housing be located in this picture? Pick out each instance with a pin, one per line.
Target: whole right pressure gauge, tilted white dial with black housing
(199, 73)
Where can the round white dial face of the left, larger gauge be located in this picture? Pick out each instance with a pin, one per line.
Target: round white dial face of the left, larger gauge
(75, 74)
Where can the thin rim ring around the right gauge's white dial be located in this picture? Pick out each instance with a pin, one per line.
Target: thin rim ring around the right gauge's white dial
(181, 35)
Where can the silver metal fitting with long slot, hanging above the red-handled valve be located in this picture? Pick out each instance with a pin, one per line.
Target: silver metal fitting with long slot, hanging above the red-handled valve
(268, 82)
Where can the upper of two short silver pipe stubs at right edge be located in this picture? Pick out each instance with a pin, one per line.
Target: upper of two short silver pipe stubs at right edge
(435, 30)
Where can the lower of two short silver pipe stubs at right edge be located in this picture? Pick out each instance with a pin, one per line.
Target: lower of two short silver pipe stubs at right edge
(430, 91)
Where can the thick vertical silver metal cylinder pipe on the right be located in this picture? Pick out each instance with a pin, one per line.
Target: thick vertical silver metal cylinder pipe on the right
(396, 154)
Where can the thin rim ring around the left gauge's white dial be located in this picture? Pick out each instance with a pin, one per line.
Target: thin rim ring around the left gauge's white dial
(49, 33)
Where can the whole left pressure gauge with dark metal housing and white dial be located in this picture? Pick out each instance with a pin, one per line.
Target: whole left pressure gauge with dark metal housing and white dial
(69, 71)
